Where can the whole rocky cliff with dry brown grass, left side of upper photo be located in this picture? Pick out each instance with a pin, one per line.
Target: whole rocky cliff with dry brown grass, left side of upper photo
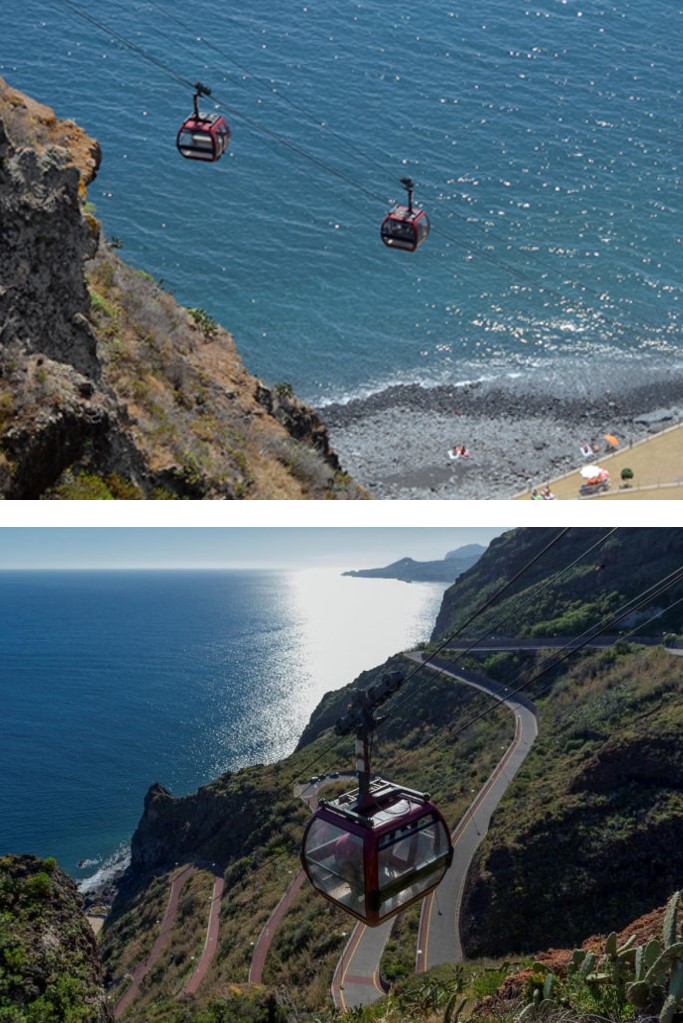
(108, 388)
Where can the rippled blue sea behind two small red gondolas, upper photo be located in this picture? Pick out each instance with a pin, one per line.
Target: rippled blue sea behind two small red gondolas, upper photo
(543, 137)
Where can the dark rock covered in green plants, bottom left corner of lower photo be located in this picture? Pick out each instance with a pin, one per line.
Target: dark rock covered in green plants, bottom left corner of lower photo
(50, 964)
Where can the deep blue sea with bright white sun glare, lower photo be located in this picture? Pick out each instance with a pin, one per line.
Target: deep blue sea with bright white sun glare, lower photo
(114, 681)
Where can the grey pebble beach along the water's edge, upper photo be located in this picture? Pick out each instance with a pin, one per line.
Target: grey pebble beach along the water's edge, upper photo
(396, 442)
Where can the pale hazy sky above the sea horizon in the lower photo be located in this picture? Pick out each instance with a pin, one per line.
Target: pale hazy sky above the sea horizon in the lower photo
(231, 547)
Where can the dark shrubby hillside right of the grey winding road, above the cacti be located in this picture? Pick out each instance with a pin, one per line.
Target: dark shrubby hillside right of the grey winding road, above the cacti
(590, 835)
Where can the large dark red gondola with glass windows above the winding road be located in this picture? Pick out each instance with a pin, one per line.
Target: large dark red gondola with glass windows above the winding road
(382, 848)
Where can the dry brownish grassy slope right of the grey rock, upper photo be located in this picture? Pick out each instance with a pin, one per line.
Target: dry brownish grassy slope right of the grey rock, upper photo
(193, 406)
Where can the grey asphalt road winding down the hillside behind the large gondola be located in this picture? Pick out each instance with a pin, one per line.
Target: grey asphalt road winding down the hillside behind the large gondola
(357, 981)
